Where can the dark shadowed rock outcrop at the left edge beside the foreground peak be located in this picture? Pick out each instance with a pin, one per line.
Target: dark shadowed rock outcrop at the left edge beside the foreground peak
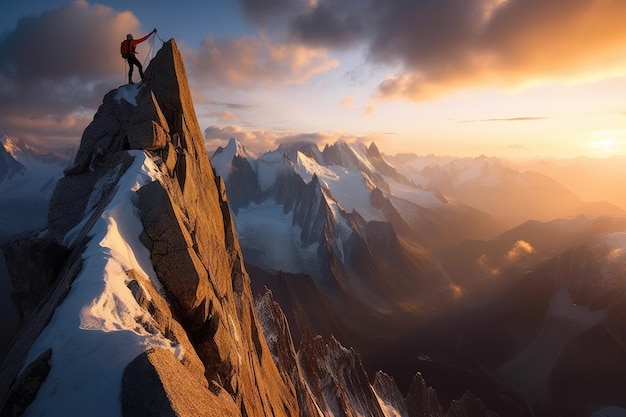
(31, 281)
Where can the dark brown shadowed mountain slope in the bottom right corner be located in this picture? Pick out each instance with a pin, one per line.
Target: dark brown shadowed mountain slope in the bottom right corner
(552, 338)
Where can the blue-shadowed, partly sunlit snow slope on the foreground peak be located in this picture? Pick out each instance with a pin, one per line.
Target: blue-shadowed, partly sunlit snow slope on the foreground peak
(95, 333)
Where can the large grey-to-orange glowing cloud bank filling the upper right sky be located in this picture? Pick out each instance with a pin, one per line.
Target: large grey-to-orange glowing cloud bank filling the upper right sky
(444, 45)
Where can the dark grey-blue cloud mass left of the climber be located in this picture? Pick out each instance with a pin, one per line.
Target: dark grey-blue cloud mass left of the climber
(56, 67)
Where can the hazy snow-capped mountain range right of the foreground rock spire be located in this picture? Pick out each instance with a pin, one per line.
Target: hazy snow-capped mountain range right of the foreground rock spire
(416, 261)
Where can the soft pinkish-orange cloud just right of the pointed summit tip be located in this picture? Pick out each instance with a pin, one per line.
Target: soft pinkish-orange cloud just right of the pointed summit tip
(255, 60)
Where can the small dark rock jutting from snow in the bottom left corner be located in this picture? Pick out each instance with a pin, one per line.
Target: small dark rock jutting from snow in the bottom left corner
(25, 389)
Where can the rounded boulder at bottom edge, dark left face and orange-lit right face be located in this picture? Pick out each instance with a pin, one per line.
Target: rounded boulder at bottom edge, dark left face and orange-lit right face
(157, 384)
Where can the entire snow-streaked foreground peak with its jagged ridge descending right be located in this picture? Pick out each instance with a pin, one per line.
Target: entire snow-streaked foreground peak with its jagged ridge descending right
(135, 301)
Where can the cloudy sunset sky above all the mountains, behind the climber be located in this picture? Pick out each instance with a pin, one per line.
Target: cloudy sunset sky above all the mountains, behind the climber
(511, 78)
